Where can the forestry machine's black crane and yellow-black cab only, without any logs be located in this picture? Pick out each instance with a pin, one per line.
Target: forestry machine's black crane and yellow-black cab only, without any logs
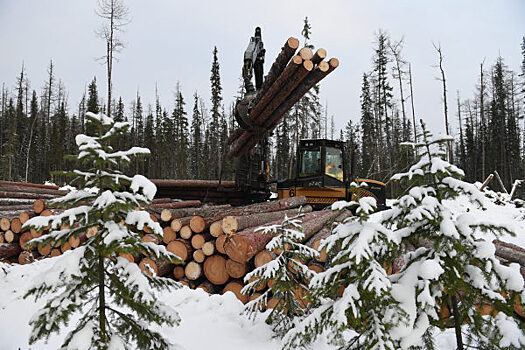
(321, 173)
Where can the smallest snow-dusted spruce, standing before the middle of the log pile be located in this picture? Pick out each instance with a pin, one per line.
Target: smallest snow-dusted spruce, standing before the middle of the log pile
(287, 276)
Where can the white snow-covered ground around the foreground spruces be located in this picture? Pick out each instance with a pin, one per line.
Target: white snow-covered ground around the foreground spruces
(208, 321)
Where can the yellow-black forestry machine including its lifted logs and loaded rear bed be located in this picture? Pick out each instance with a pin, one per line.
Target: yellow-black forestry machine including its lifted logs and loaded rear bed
(321, 174)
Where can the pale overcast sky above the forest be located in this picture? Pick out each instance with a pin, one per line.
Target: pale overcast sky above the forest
(170, 40)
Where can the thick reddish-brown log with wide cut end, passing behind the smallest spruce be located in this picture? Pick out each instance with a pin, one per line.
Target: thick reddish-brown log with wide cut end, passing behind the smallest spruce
(242, 246)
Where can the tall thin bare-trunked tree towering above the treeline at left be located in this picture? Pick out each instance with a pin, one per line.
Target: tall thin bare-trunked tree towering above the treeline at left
(117, 16)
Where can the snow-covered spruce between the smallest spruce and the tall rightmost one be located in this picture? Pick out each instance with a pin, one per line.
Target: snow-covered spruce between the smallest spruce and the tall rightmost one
(353, 293)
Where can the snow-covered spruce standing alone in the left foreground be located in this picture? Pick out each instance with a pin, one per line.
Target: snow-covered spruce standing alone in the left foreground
(114, 300)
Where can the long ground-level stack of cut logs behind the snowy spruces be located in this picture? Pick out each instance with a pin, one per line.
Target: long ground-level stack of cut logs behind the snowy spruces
(219, 244)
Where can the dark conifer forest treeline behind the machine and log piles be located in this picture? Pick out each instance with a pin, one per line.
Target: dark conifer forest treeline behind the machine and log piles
(37, 128)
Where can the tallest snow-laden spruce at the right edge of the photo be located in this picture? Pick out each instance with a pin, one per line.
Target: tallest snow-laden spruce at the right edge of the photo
(450, 263)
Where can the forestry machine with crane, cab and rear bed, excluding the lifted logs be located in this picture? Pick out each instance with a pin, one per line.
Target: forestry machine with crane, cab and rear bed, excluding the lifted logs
(321, 174)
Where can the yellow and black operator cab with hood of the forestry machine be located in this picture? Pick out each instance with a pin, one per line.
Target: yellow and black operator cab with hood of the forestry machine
(321, 175)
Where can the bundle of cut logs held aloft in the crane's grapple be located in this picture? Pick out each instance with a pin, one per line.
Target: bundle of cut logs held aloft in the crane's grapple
(290, 77)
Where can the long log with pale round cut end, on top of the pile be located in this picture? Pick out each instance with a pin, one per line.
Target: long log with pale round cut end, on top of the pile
(232, 224)
